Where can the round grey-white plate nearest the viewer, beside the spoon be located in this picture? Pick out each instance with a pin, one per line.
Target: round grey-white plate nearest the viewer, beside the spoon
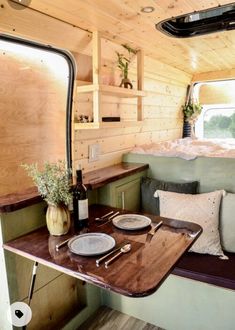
(91, 244)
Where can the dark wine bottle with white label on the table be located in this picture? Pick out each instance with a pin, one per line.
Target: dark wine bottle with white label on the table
(80, 202)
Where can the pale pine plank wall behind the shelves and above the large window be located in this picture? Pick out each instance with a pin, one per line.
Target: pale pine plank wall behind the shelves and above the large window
(165, 86)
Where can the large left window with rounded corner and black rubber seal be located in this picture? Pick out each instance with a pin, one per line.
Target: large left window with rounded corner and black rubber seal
(35, 109)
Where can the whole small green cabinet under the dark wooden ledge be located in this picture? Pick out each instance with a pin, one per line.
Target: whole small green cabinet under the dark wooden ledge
(123, 193)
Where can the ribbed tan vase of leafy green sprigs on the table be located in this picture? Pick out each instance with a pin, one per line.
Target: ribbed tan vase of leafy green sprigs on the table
(54, 186)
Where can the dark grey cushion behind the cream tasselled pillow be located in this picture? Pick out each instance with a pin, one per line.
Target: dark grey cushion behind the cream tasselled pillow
(150, 204)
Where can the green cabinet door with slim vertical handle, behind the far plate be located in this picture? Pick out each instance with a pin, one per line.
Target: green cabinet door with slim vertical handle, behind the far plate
(127, 196)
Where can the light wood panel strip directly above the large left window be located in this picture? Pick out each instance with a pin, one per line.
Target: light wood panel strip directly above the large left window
(33, 25)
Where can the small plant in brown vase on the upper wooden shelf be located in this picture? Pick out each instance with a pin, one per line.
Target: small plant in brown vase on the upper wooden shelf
(123, 65)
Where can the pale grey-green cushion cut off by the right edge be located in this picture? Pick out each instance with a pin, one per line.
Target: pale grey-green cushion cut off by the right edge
(227, 222)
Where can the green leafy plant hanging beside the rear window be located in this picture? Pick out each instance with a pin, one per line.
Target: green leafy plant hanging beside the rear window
(191, 111)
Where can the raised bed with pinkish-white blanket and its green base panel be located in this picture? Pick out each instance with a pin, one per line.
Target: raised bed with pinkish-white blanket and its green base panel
(212, 163)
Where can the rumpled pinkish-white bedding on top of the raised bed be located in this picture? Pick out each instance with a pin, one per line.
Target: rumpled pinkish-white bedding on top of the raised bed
(188, 148)
